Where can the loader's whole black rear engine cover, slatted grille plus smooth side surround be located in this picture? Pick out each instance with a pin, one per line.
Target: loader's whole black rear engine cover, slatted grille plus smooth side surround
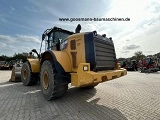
(100, 52)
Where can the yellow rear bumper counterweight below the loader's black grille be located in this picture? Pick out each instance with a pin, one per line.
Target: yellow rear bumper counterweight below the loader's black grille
(86, 78)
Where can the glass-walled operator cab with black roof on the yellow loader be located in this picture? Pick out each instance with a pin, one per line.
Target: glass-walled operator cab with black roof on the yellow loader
(55, 38)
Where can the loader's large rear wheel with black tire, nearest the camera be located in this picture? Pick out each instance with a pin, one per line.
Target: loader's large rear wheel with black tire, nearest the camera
(52, 91)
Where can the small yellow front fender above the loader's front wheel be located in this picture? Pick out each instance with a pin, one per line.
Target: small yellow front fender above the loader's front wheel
(35, 65)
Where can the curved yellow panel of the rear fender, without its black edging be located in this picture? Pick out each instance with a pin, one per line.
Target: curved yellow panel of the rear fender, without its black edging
(63, 58)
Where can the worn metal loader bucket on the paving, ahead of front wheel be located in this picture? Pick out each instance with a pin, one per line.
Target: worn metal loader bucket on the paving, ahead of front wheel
(16, 74)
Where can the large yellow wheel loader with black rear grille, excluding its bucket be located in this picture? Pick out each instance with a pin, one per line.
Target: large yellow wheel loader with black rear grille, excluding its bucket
(82, 59)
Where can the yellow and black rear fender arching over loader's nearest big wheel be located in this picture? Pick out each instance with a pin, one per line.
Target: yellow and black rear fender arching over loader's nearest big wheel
(62, 65)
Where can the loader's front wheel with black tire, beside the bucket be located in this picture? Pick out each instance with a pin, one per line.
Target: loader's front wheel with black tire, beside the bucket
(29, 78)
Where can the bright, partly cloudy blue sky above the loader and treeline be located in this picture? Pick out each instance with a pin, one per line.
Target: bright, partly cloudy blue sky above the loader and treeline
(23, 22)
